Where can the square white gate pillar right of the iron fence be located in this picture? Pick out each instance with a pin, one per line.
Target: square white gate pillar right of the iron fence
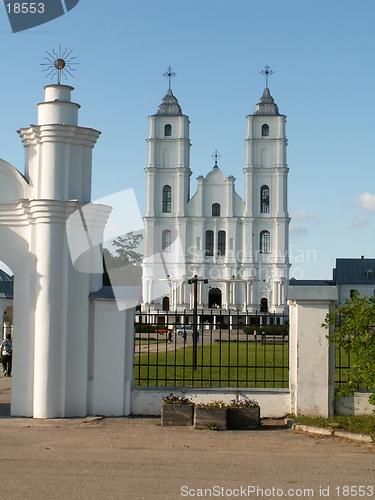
(311, 359)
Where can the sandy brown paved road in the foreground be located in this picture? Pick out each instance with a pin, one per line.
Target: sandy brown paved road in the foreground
(135, 458)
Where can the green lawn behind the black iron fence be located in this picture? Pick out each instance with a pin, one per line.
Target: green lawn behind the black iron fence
(221, 364)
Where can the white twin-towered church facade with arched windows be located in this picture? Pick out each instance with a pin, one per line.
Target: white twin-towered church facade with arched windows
(238, 248)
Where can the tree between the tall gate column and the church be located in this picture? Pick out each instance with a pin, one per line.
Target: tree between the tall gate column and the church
(123, 267)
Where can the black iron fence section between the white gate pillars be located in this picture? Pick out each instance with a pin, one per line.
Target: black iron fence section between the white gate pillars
(233, 349)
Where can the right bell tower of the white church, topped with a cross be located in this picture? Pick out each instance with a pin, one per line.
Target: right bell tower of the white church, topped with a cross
(266, 212)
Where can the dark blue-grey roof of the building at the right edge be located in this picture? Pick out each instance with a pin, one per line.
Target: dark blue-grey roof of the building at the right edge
(354, 272)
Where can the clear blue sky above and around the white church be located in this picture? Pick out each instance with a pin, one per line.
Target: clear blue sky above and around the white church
(322, 55)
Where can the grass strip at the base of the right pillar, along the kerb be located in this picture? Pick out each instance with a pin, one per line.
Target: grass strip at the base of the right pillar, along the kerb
(362, 424)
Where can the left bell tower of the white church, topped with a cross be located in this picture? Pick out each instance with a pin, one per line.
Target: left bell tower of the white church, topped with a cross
(168, 180)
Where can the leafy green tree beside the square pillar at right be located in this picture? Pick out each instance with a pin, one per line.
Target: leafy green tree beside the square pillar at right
(354, 332)
